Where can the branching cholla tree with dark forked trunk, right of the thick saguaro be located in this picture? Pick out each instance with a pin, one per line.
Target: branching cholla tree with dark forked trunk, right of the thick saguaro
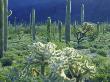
(86, 32)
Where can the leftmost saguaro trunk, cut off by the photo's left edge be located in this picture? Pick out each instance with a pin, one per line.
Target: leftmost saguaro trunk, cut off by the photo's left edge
(1, 27)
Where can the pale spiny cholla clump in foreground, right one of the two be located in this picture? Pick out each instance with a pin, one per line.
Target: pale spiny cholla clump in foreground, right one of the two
(68, 59)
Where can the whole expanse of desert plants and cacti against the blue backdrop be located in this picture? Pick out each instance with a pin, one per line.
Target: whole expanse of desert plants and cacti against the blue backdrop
(54, 51)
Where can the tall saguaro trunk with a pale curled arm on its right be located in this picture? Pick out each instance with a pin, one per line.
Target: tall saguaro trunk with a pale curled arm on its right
(5, 24)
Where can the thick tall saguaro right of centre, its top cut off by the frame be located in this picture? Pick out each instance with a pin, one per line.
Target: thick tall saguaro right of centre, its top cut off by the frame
(68, 21)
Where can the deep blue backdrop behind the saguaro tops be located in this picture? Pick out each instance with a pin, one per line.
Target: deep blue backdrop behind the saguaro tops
(95, 10)
